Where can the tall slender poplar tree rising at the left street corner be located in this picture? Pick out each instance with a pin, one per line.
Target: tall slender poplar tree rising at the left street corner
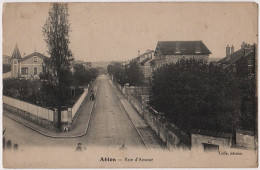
(56, 32)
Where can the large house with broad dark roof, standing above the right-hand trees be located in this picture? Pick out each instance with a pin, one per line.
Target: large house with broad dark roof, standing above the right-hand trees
(171, 51)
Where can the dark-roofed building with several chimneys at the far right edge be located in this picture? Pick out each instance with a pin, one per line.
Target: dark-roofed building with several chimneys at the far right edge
(241, 61)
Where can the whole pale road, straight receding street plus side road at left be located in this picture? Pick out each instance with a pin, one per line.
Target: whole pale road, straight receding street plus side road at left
(109, 125)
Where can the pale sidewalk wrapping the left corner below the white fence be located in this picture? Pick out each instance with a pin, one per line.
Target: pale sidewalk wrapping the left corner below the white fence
(80, 127)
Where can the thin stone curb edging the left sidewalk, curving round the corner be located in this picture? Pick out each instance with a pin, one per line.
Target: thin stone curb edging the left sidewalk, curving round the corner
(52, 136)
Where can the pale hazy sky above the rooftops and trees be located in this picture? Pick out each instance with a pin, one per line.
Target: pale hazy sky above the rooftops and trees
(116, 31)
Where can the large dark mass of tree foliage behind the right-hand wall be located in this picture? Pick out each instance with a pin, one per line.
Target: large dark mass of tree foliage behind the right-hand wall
(195, 95)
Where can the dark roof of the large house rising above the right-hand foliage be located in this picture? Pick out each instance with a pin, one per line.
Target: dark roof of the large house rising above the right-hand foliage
(186, 48)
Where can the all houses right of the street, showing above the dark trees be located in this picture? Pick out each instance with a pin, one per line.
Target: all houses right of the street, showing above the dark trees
(167, 52)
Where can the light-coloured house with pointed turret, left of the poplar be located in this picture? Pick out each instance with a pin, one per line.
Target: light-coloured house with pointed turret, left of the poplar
(28, 66)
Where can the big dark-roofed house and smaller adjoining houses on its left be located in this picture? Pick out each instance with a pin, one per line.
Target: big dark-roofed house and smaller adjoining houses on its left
(167, 52)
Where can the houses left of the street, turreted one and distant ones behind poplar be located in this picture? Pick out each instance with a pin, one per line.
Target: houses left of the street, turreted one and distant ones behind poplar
(31, 65)
